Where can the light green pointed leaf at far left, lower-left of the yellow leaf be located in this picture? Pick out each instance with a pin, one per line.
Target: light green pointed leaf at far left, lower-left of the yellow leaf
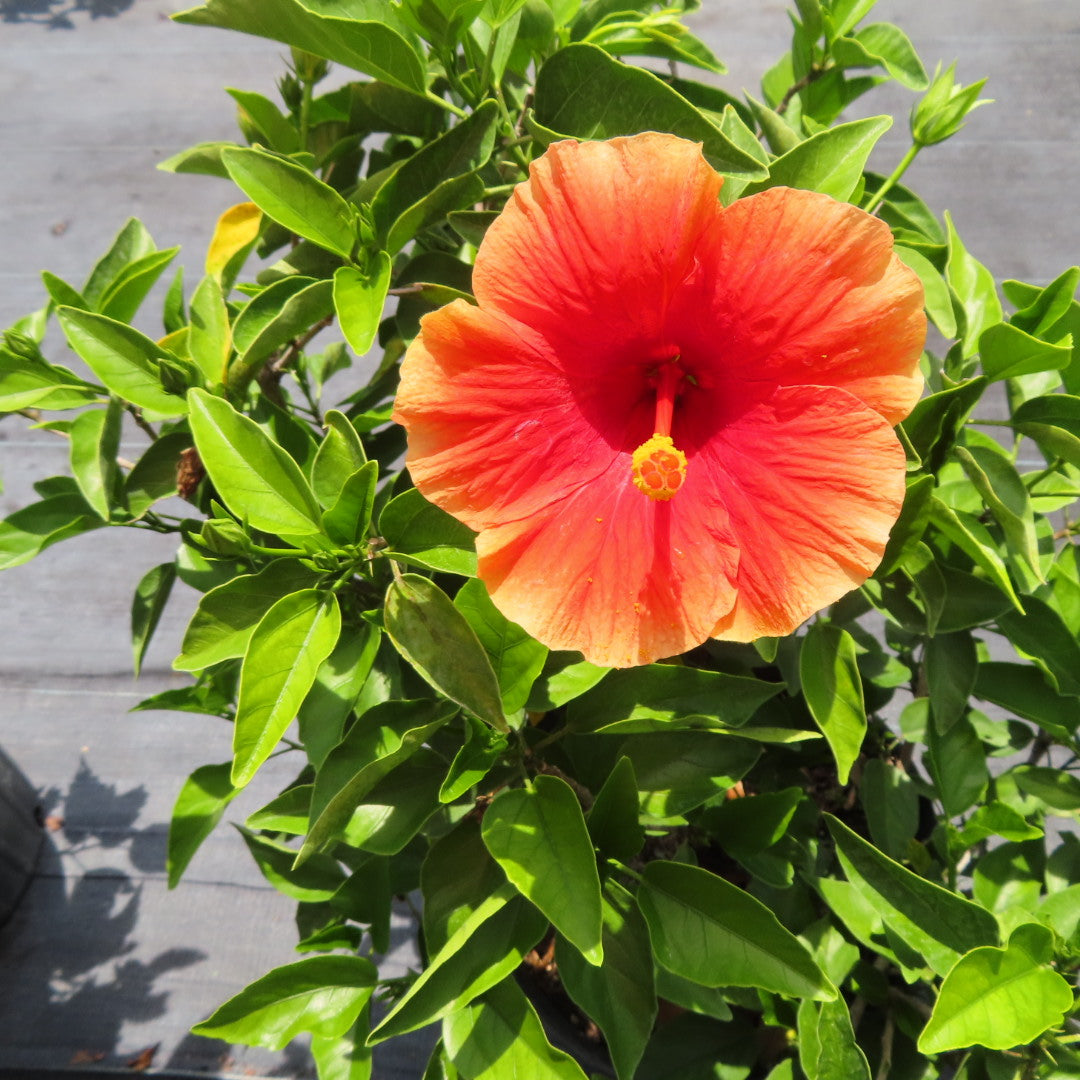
(125, 360)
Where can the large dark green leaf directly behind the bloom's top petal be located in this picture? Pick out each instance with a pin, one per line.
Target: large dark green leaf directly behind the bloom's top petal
(624, 100)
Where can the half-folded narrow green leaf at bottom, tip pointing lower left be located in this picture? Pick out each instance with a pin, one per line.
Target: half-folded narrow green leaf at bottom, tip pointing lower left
(484, 951)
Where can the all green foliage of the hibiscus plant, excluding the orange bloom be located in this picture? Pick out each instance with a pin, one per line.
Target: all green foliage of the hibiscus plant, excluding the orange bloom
(829, 856)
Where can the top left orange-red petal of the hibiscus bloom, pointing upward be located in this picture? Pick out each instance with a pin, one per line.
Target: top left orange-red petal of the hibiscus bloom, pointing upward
(593, 247)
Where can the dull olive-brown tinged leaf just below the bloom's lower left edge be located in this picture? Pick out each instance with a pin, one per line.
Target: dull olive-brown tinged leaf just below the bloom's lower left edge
(435, 638)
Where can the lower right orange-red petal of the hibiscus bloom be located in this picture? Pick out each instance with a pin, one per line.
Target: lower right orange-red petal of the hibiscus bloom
(813, 481)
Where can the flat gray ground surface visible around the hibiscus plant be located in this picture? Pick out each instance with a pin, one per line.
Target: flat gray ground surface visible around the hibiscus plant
(101, 958)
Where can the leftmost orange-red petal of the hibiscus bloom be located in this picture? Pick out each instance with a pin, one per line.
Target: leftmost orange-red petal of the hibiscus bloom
(496, 430)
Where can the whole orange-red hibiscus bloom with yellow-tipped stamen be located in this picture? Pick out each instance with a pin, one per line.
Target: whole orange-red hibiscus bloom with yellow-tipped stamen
(668, 421)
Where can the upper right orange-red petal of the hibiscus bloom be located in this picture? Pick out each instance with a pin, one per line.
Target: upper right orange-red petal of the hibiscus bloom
(802, 290)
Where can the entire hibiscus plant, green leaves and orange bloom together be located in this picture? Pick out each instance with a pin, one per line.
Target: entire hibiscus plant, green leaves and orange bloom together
(553, 441)
